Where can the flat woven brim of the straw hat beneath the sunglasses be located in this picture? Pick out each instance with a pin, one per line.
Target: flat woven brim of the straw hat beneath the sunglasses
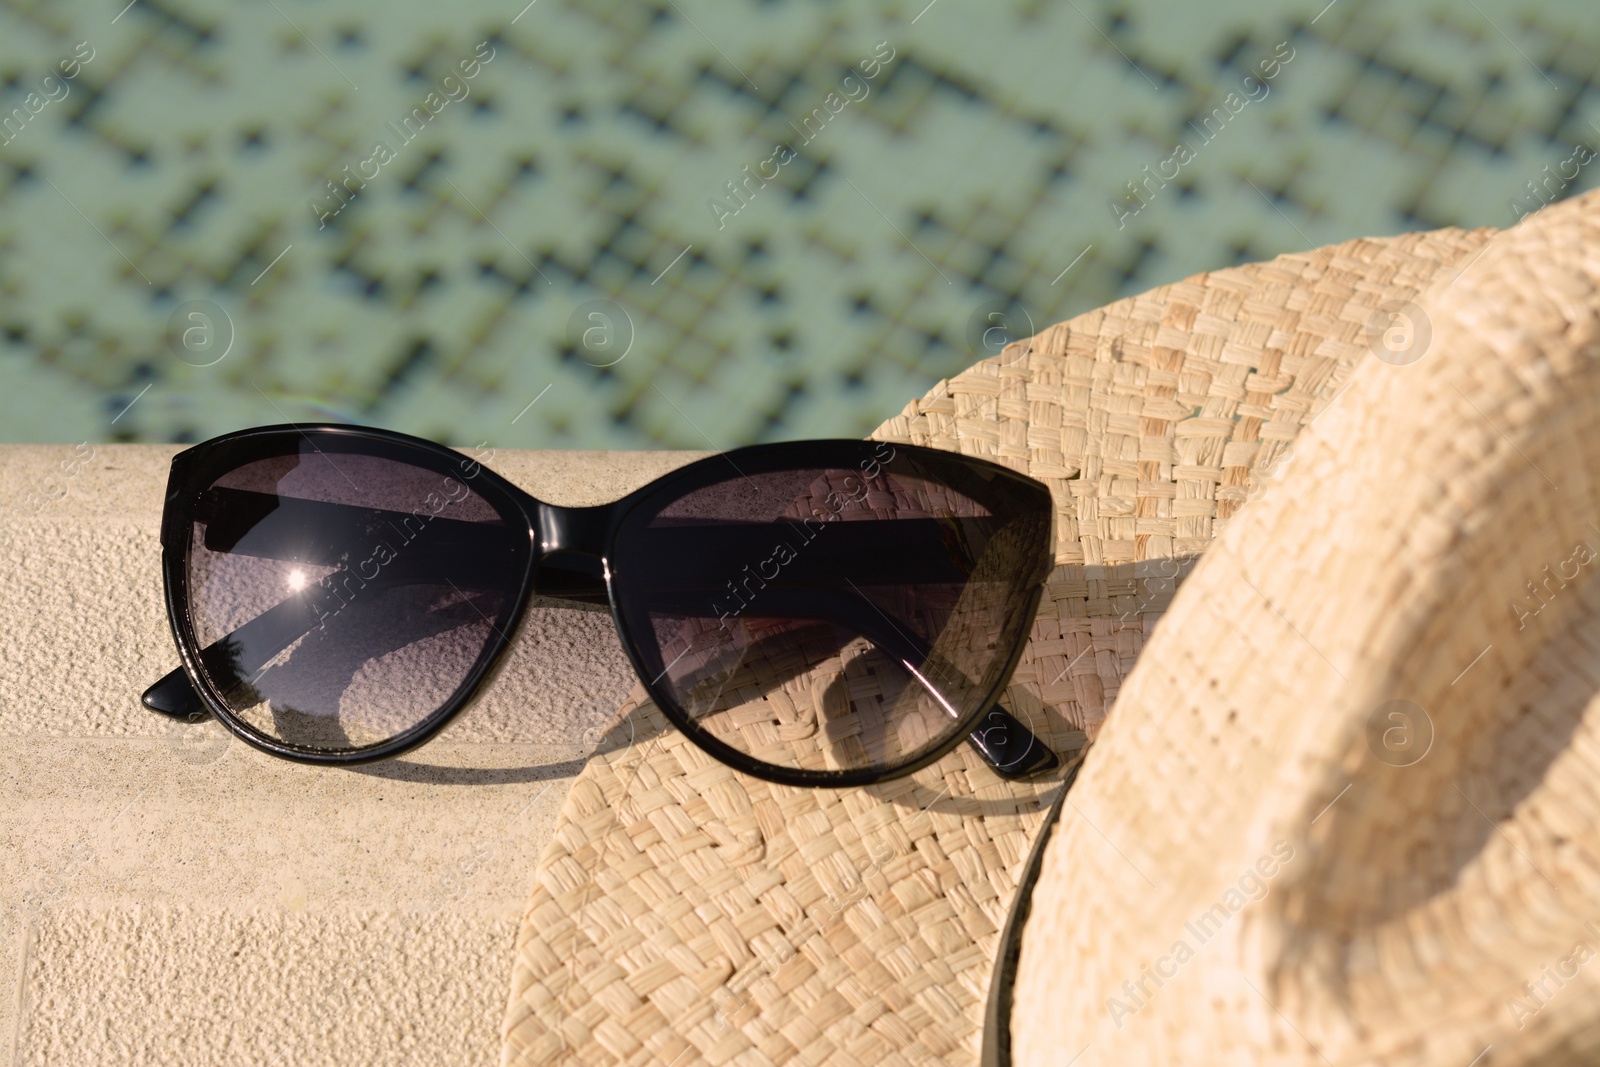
(686, 914)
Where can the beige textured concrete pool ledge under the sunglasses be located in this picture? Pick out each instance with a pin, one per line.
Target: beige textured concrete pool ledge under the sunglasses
(172, 897)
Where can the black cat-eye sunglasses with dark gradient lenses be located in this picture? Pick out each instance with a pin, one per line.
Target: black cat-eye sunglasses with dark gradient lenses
(812, 613)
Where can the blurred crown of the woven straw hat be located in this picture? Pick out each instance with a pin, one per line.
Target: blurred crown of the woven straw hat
(1354, 777)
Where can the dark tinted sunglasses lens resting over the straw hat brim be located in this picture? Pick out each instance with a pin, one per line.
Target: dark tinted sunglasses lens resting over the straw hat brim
(834, 620)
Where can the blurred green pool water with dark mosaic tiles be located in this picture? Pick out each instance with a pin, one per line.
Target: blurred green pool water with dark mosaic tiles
(695, 226)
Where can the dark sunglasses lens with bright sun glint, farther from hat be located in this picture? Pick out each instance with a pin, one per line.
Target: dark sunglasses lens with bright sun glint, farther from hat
(343, 599)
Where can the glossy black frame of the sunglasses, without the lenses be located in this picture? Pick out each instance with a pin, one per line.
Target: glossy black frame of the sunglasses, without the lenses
(590, 535)
